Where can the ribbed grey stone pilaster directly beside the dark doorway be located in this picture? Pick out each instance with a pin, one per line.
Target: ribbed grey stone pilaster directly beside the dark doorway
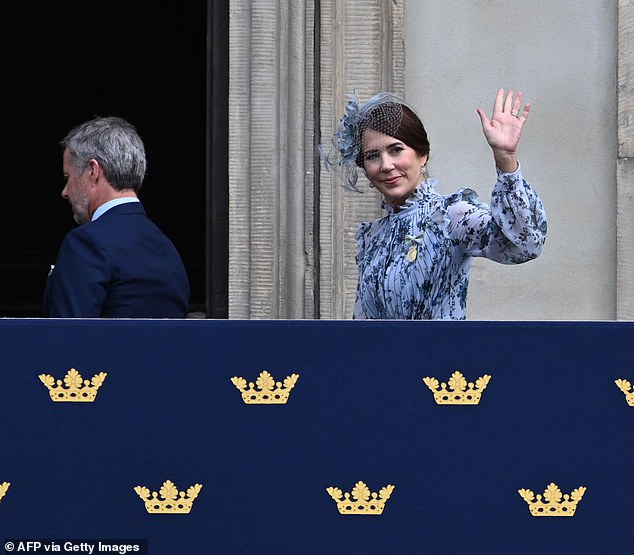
(270, 159)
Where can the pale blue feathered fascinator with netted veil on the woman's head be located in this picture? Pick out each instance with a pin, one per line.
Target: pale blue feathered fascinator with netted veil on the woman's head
(383, 113)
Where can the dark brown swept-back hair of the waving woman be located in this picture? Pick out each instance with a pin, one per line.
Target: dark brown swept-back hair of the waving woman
(398, 121)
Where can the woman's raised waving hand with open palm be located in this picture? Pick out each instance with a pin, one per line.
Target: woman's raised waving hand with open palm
(504, 129)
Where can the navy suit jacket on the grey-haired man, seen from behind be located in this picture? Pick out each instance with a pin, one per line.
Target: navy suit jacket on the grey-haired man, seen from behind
(117, 266)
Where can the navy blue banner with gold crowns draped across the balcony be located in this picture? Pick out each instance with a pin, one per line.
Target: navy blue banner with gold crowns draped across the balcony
(168, 411)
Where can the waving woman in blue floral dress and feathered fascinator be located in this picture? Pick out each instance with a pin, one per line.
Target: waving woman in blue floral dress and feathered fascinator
(414, 263)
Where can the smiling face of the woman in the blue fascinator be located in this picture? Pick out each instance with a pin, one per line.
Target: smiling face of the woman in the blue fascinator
(393, 167)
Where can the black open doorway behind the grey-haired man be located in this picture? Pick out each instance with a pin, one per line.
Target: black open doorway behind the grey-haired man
(64, 62)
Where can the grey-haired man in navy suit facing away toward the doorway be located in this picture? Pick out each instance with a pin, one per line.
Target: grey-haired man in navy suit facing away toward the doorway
(117, 263)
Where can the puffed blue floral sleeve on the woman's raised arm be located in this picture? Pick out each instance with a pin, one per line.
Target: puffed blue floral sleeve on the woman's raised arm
(511, 231)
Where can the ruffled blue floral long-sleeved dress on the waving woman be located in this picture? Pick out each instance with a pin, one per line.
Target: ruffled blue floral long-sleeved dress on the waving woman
(414, 263)
